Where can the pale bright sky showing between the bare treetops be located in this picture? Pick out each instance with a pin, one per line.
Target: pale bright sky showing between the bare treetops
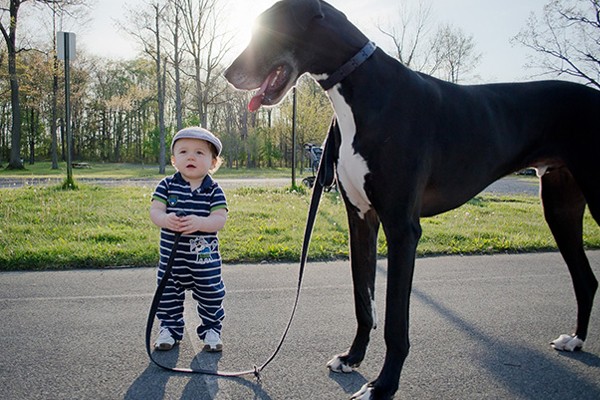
(491, 23)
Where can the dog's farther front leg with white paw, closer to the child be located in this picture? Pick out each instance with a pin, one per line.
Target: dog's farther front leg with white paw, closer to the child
(363, 251)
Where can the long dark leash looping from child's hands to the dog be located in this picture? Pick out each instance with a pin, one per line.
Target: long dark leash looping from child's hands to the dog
(325, 177)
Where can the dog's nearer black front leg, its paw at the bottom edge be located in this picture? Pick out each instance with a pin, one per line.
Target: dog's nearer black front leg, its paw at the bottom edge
(402, 242)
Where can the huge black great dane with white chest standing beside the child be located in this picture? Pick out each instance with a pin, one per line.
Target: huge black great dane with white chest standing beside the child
(409, 146)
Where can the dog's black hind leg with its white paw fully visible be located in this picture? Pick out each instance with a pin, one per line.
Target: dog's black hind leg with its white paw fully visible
(564, 205)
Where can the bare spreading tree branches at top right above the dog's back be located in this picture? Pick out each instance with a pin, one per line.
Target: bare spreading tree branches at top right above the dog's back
(566, 40)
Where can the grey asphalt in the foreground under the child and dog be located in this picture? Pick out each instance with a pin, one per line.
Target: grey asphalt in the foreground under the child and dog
(480, 329)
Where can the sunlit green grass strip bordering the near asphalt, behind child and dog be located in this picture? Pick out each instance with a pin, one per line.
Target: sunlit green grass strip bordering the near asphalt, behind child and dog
(95, 227)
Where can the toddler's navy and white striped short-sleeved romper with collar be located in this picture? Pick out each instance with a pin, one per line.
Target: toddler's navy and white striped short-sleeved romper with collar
(197, 266)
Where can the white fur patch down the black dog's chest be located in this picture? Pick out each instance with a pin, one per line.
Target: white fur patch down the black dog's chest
(352, 167)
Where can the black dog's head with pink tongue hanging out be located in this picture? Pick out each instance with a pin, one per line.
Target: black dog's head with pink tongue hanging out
(290, 38)
